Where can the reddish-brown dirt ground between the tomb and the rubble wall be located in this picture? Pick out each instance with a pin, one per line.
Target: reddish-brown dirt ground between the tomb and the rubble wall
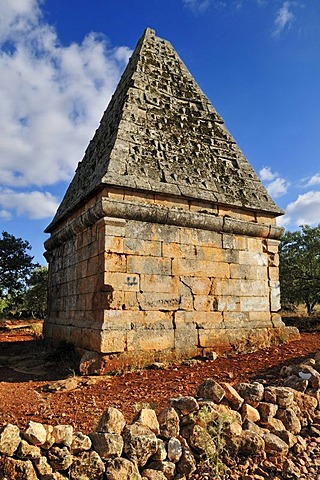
(35, 386)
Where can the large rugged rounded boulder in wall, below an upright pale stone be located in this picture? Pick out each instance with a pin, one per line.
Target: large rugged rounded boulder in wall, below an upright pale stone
(140, 443)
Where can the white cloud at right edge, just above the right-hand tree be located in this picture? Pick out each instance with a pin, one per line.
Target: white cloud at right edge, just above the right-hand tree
(305, 210)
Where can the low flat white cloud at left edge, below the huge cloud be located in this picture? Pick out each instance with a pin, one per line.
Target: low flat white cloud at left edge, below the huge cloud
(35, 205)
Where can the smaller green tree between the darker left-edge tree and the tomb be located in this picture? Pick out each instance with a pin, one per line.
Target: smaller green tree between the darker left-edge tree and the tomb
(35, 297)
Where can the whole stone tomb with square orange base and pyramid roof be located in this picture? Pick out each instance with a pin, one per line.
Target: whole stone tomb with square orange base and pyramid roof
(165, 243)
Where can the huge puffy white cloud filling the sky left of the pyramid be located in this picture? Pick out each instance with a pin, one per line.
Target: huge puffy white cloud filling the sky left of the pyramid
(53, 95)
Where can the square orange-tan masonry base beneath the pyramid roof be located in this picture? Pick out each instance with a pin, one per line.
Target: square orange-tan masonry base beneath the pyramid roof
(132, 287)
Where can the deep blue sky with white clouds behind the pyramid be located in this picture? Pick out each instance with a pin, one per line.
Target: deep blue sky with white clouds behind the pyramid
(258, 61)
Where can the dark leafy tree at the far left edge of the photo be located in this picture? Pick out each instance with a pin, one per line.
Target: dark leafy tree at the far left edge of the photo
(15, 265)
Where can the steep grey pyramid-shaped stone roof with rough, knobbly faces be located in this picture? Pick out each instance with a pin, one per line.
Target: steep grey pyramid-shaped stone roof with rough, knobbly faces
(161, 134)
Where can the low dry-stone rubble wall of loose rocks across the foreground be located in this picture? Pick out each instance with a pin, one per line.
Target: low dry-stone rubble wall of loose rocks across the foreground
(259, 431)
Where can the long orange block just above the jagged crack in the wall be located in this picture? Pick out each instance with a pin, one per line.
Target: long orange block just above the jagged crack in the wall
(199, 268)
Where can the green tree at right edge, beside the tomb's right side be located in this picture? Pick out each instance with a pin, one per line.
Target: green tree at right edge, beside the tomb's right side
(300, 268)
